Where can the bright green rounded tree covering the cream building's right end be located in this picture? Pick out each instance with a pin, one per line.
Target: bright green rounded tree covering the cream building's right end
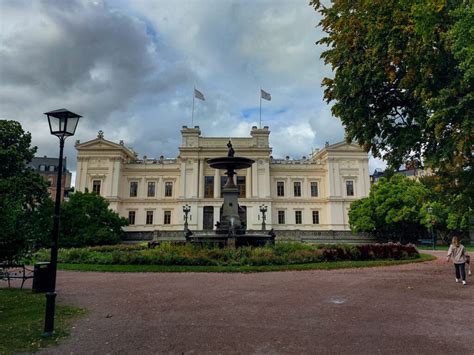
(392, 210)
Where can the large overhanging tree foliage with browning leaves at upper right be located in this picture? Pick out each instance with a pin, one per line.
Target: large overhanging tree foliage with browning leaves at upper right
(402, 85)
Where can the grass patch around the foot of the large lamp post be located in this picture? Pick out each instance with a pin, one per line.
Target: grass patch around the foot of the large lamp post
(22, 321)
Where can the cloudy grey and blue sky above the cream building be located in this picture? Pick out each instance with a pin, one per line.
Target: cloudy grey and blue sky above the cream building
(129, 68)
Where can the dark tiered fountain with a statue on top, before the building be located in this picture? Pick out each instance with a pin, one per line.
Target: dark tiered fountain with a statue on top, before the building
(230, 230)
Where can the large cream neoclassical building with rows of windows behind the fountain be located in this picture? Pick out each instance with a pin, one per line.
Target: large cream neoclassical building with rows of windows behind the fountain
(308, 194)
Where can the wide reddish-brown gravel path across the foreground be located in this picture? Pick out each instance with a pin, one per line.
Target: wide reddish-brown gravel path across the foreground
(408, 309)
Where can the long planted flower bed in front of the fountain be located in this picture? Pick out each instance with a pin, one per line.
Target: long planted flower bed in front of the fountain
(283, 253)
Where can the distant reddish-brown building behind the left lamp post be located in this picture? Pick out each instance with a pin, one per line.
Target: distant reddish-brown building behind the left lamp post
(48, 169)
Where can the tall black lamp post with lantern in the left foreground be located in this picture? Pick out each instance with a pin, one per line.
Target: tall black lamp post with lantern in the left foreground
(62, 123)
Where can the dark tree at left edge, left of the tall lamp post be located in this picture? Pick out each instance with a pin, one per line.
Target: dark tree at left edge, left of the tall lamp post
(23, 193)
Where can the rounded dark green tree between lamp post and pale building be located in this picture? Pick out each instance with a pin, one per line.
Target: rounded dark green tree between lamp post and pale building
(86, 220)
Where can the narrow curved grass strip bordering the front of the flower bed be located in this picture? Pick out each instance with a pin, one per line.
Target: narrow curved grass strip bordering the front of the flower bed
(189, 268)
